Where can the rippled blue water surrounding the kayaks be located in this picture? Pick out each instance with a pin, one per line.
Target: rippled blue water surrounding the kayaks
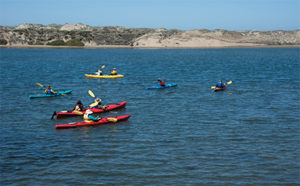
(188, 135)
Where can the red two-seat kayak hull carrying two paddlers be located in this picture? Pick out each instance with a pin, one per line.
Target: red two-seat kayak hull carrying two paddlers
(80, 113)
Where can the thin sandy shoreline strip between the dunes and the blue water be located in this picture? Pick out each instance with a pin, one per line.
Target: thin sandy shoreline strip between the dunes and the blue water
(130, 47)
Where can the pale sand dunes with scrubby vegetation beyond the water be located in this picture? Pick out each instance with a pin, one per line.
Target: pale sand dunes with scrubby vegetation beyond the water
(84, 35)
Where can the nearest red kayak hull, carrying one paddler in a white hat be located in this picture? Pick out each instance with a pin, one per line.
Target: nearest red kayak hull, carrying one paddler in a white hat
(101, 121)
